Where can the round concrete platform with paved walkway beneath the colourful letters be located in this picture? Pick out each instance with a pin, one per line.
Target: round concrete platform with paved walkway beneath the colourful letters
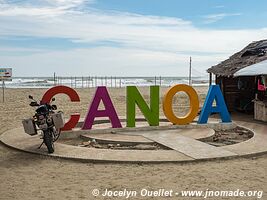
(180, 139)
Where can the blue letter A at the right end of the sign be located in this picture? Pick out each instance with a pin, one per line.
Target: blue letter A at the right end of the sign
(214, 93)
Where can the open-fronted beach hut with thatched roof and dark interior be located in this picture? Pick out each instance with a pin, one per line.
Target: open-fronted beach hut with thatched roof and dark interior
(239, 92)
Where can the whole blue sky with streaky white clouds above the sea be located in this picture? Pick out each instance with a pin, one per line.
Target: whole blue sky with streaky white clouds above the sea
(125, 37)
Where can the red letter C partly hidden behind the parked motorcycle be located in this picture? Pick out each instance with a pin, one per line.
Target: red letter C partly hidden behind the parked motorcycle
(74, 97)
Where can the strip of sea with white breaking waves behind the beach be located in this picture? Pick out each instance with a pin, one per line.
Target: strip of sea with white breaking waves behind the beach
(94, 81)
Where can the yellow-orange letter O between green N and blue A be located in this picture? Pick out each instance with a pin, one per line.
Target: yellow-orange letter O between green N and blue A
(194, 104)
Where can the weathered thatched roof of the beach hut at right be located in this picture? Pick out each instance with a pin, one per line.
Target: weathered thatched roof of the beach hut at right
(254, 53)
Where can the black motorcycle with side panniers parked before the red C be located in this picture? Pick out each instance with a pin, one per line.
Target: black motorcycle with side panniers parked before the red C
(46, 120)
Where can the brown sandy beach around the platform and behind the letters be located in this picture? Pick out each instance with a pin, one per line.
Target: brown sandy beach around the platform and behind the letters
(30, 177)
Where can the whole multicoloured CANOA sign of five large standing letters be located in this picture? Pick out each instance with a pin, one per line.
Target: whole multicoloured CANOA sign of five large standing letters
(151, 112)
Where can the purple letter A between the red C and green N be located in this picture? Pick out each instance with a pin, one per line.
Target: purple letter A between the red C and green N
(110, 112)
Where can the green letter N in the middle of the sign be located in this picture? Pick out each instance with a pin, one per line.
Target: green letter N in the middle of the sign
(134, 98)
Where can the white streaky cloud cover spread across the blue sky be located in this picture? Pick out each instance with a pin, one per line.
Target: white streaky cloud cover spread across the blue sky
(145, 43)
